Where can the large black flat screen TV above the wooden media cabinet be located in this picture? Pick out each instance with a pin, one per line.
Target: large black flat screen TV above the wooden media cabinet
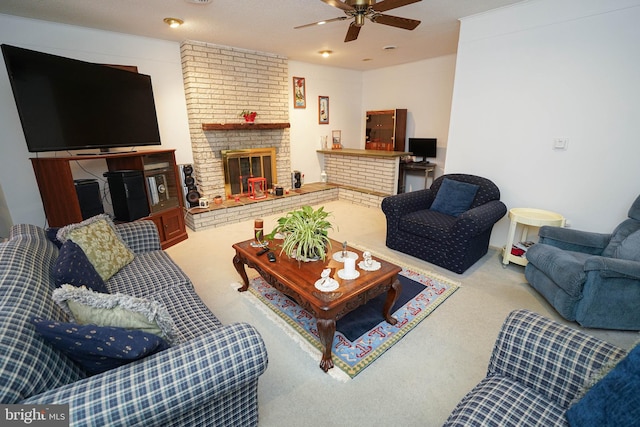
(66, 104)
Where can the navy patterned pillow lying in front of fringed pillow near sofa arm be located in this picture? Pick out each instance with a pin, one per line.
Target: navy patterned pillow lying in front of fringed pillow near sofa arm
(99, 348)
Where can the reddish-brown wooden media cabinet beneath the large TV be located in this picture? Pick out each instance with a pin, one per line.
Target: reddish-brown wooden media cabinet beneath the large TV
(162, 186)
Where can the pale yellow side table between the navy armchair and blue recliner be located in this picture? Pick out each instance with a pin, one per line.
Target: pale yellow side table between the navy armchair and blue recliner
(527, 217)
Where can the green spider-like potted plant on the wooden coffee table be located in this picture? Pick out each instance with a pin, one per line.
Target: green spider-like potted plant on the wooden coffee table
(304, 233)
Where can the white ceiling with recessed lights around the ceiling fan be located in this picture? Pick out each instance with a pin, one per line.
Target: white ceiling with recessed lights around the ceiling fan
(268, 26)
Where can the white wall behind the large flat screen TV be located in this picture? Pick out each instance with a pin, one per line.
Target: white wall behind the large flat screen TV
(160, 59)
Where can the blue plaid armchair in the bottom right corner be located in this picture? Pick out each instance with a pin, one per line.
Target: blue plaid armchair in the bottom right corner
(537, 367)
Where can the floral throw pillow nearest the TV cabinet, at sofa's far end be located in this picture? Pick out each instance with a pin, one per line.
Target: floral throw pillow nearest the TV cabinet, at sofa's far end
(100, 243)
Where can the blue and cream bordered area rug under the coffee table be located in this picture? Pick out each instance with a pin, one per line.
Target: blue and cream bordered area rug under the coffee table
(362, 335)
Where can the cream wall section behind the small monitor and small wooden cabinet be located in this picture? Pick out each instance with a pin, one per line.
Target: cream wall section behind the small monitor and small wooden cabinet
(424, 88)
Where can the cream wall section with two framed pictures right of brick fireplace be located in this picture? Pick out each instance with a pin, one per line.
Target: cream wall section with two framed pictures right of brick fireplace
(344, 89)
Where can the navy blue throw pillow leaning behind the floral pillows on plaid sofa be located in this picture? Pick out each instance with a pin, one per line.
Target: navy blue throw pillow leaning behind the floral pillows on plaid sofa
(74, 268)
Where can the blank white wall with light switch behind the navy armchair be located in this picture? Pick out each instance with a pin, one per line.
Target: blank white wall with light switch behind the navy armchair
(547, 69)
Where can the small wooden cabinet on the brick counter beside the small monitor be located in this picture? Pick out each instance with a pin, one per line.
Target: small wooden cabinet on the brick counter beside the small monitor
(386, 130)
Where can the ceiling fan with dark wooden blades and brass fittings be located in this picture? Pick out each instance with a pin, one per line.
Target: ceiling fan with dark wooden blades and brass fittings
(370, 9)
